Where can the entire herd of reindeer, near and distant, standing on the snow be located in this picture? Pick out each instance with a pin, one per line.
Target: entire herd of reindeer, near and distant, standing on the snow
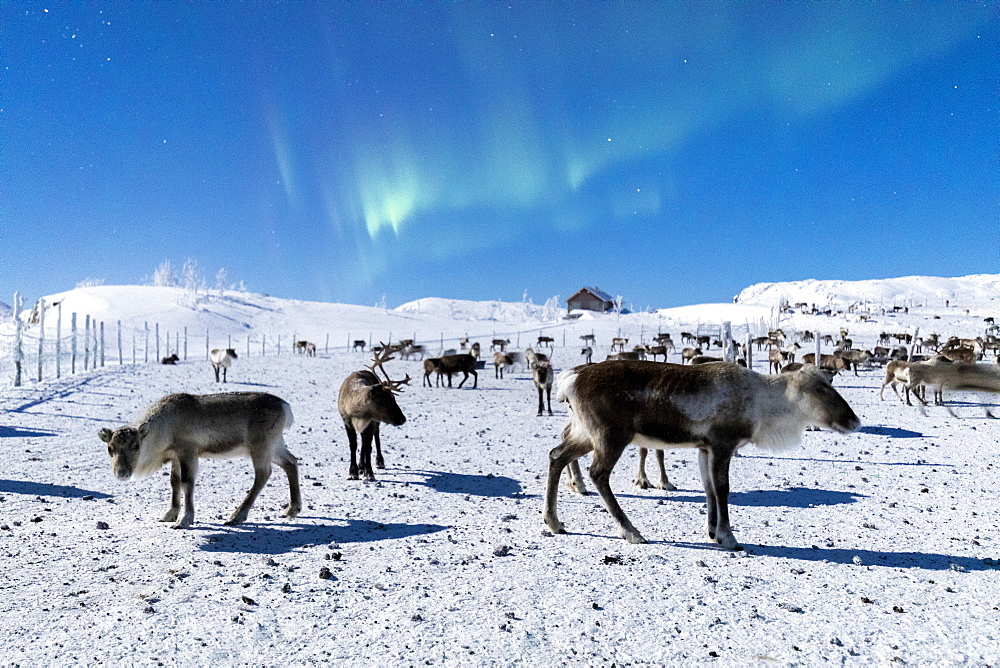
(633, 397)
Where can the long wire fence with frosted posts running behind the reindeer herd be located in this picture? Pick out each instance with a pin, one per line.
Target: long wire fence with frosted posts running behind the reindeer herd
(45, 343)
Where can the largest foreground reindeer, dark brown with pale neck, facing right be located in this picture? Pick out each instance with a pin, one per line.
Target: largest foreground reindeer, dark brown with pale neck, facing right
(716, 408)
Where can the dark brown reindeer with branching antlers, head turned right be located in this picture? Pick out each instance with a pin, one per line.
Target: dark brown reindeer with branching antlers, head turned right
(364, 403)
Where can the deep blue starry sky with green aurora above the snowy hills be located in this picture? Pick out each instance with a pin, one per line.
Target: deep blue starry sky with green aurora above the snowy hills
(668, 152)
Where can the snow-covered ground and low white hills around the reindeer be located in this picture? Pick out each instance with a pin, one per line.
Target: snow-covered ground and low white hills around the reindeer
(861, 548)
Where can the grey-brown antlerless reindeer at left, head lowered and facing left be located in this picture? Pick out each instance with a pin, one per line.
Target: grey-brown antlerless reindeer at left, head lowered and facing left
(180, 428)
